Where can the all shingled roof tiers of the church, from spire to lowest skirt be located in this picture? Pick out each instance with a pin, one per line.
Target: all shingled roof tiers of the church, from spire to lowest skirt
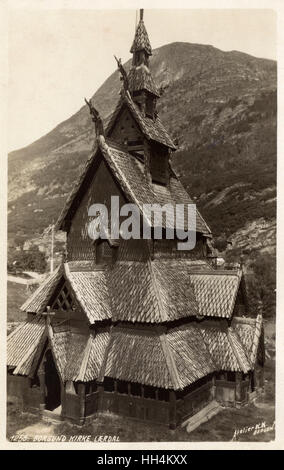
(163, 322)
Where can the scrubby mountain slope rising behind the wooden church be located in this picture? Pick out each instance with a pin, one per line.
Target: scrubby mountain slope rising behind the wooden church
(222, 108)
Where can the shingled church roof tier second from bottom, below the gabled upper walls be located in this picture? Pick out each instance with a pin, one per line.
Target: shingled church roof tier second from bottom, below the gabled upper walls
(156, 291)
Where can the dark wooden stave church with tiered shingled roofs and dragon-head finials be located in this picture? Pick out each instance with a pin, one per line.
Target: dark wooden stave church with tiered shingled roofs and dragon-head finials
(135, 327)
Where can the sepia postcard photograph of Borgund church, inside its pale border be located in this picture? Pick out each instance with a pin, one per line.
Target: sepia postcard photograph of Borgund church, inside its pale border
(141, 224)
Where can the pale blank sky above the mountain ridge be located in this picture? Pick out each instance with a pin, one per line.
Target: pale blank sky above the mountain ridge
(59, 56)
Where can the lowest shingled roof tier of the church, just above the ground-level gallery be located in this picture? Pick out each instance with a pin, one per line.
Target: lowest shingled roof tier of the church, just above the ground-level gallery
(152, 356)
